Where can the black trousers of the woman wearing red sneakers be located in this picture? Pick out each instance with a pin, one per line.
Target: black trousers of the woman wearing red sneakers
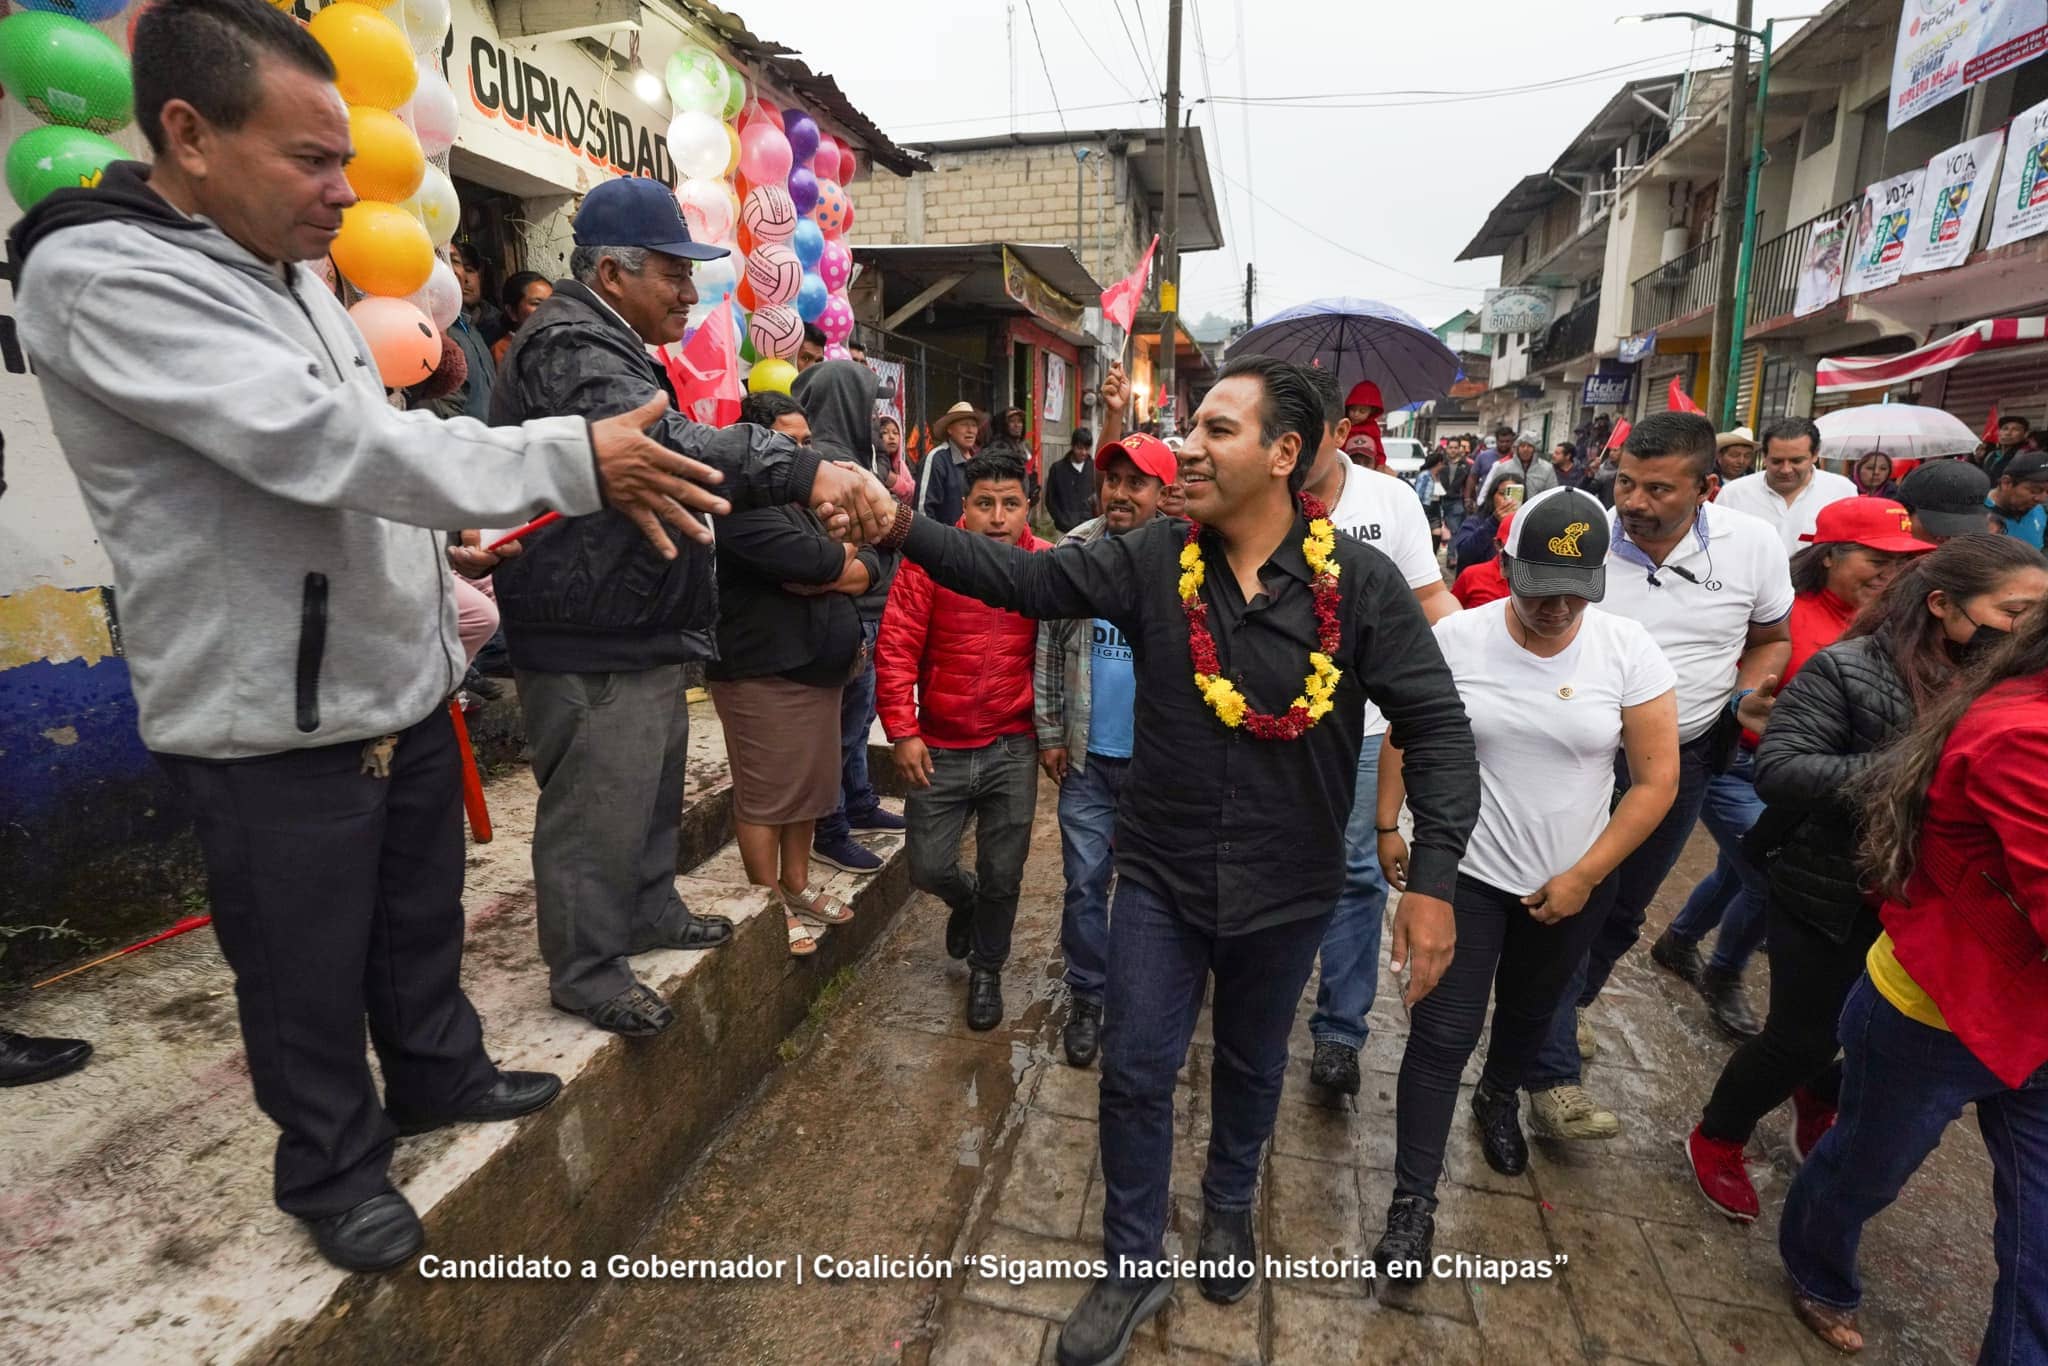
(1811, 980)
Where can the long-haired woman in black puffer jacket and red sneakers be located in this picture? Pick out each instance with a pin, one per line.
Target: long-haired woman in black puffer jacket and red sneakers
(1846, 706)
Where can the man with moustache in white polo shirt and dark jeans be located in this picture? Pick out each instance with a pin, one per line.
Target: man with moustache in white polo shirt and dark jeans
(1715, 591)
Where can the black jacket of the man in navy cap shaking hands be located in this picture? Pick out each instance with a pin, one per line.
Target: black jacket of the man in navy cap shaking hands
(591, 595)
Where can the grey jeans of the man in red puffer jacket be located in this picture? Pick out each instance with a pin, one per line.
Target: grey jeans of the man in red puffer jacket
(998, 785)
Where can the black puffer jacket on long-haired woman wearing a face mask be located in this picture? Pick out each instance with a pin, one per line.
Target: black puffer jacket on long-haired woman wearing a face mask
(1842, 708)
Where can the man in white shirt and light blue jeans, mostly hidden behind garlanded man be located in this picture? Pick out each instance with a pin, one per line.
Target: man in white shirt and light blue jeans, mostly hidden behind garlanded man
(1385, 515)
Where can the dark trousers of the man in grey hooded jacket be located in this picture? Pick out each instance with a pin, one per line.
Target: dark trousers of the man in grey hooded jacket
(337, 898)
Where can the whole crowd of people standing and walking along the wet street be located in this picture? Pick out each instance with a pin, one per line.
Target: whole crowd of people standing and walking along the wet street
(1238, 660)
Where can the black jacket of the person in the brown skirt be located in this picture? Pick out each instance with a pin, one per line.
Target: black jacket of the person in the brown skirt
(767, 630)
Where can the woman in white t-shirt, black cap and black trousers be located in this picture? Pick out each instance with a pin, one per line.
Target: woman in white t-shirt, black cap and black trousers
(1555, 689)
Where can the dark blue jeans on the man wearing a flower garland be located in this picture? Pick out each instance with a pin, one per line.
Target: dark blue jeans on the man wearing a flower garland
(1158, 970)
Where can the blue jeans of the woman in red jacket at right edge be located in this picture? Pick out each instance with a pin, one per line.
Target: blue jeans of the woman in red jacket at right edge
(1902, 1086)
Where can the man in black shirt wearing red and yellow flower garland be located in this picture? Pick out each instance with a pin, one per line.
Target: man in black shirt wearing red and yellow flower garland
(1230, 849)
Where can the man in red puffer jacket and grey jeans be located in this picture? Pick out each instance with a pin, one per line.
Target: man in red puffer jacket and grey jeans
(953, 693)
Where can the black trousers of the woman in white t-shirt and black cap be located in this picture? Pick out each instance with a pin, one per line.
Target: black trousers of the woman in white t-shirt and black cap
(1525, 968)
